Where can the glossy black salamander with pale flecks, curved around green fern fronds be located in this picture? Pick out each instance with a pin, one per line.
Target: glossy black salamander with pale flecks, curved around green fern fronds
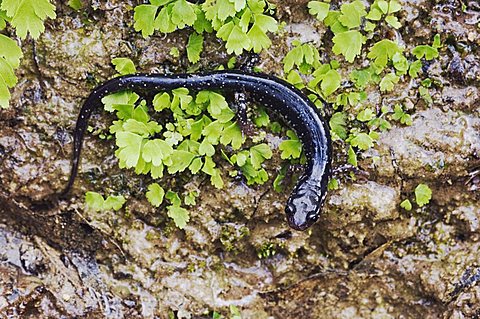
(305, 203)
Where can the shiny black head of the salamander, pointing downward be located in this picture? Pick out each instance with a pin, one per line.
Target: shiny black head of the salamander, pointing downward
(303, 206)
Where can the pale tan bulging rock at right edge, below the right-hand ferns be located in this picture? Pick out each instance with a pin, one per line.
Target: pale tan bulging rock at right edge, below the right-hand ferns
(437, 144)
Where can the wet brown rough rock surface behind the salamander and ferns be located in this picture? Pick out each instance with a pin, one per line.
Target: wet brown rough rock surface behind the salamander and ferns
(365, 258)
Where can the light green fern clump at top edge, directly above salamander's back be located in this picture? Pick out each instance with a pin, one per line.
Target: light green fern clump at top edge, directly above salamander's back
(243, 24)
